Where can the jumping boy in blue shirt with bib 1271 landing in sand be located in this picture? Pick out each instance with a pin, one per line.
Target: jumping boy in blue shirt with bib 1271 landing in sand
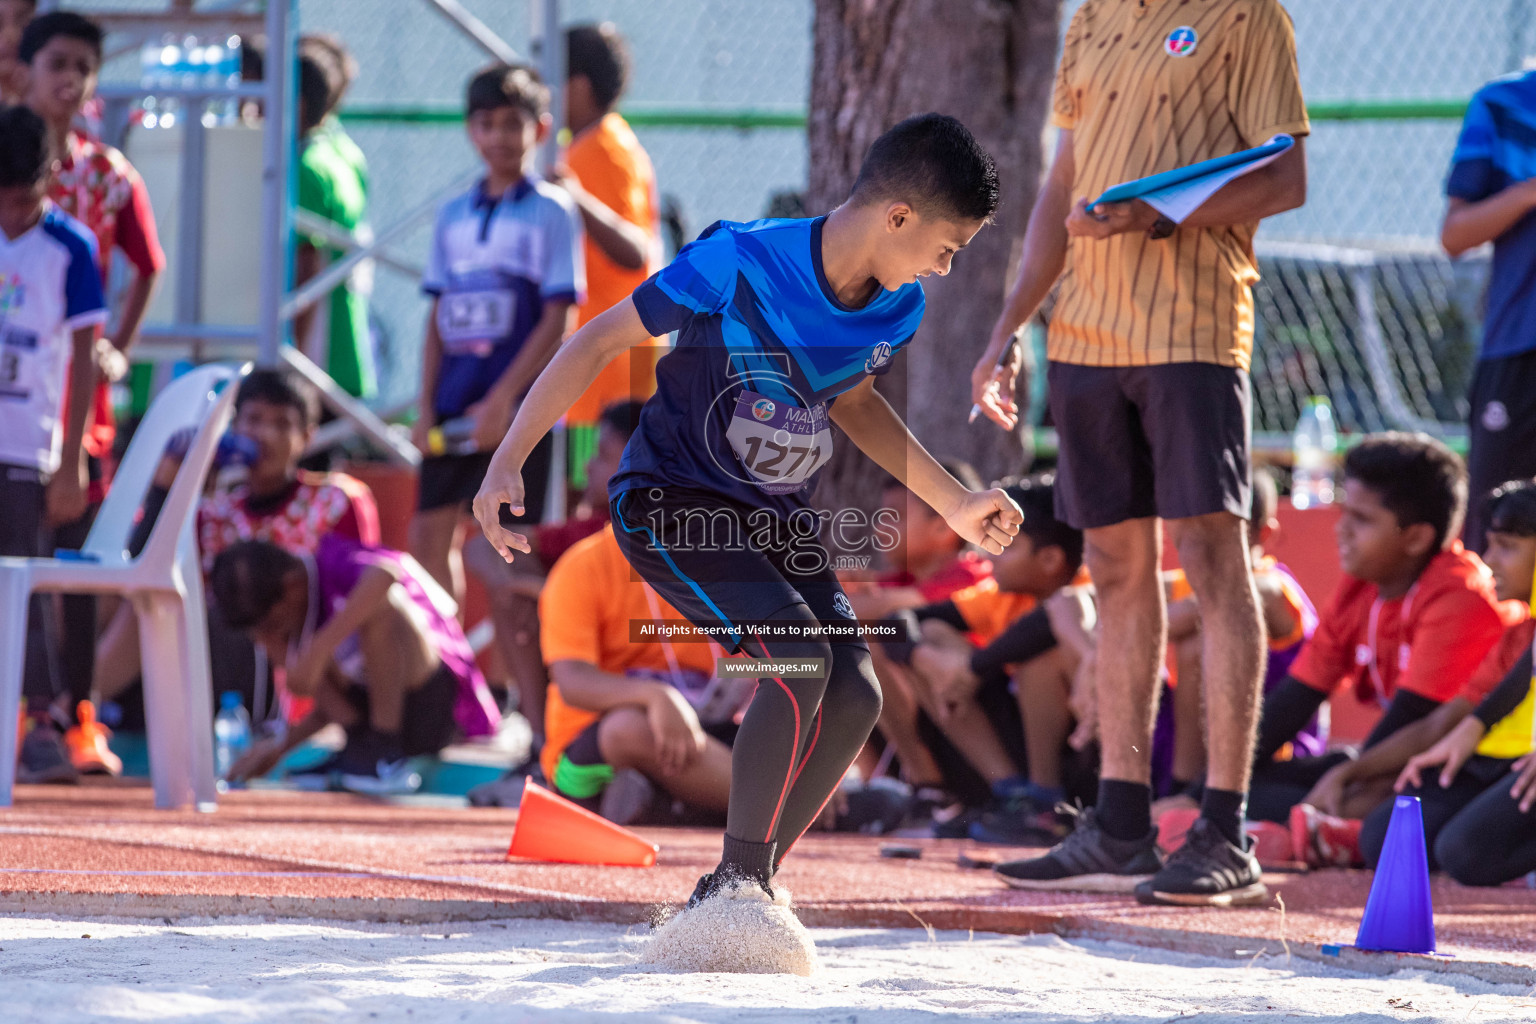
(781, 326)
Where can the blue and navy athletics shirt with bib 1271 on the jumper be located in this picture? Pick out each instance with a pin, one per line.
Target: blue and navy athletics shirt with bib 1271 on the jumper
(764, 346)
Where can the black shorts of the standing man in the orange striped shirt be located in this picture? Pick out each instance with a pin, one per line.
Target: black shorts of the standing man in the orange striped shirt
(1167, 441)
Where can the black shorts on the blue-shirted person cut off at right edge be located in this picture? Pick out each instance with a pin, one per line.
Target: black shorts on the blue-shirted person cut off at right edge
(1501, 432)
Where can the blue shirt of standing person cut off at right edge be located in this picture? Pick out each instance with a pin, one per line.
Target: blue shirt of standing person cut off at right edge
(1497, 150)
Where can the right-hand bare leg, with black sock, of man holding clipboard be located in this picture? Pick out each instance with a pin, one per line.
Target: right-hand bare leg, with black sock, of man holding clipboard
(1216, 555)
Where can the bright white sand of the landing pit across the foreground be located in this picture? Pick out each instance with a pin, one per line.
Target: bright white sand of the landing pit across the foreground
(231, 971)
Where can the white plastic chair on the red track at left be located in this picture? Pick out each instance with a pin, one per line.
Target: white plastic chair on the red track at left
(164, 586)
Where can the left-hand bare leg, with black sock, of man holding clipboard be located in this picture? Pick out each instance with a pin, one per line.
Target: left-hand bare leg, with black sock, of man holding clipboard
(1124, 561)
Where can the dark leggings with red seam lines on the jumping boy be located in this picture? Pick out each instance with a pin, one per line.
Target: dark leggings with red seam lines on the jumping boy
(799, 736)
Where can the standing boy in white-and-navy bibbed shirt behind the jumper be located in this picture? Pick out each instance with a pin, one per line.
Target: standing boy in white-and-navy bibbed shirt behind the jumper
(505, 277)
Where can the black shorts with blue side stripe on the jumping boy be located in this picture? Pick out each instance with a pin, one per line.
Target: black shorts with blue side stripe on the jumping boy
(724, 564)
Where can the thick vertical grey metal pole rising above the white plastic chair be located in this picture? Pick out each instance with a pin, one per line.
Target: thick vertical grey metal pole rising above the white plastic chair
(276, 179)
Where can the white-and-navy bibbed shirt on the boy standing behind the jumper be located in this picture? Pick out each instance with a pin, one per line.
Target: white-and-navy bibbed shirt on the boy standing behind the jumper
(495, 262)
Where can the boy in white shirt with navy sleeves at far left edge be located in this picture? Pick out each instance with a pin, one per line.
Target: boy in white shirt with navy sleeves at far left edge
(51, 311)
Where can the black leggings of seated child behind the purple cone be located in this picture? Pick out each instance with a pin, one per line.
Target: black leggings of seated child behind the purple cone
(1475, 831)
